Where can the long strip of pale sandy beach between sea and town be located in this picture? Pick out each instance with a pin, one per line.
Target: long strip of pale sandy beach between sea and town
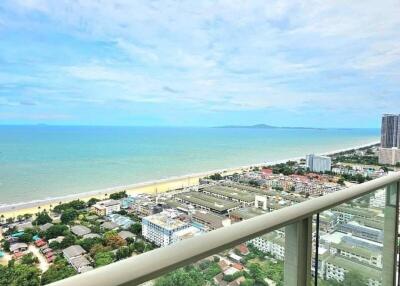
(152, 187)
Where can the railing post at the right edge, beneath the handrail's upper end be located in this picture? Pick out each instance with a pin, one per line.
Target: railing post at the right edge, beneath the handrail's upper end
(390, 231)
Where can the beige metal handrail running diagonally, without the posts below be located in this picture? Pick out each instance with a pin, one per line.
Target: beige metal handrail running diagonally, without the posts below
(152, 264)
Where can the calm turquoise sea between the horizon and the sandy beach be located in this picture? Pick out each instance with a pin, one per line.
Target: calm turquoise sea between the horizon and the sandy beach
(38, 162)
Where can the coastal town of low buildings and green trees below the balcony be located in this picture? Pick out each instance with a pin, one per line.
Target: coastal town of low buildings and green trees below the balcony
(80, 235)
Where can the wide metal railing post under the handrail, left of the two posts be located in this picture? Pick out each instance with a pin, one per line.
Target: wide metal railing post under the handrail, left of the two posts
(298, 248)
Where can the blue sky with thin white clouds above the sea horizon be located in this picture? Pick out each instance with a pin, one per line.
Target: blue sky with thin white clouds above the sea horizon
(199, 63)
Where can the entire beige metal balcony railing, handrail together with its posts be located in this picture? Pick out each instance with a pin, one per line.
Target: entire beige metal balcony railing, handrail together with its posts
(297, 221)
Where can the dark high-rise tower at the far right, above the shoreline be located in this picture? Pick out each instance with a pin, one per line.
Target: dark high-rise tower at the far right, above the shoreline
(390, 131)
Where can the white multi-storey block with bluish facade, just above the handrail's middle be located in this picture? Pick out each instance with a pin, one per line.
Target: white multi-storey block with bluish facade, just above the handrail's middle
(160, 228)
